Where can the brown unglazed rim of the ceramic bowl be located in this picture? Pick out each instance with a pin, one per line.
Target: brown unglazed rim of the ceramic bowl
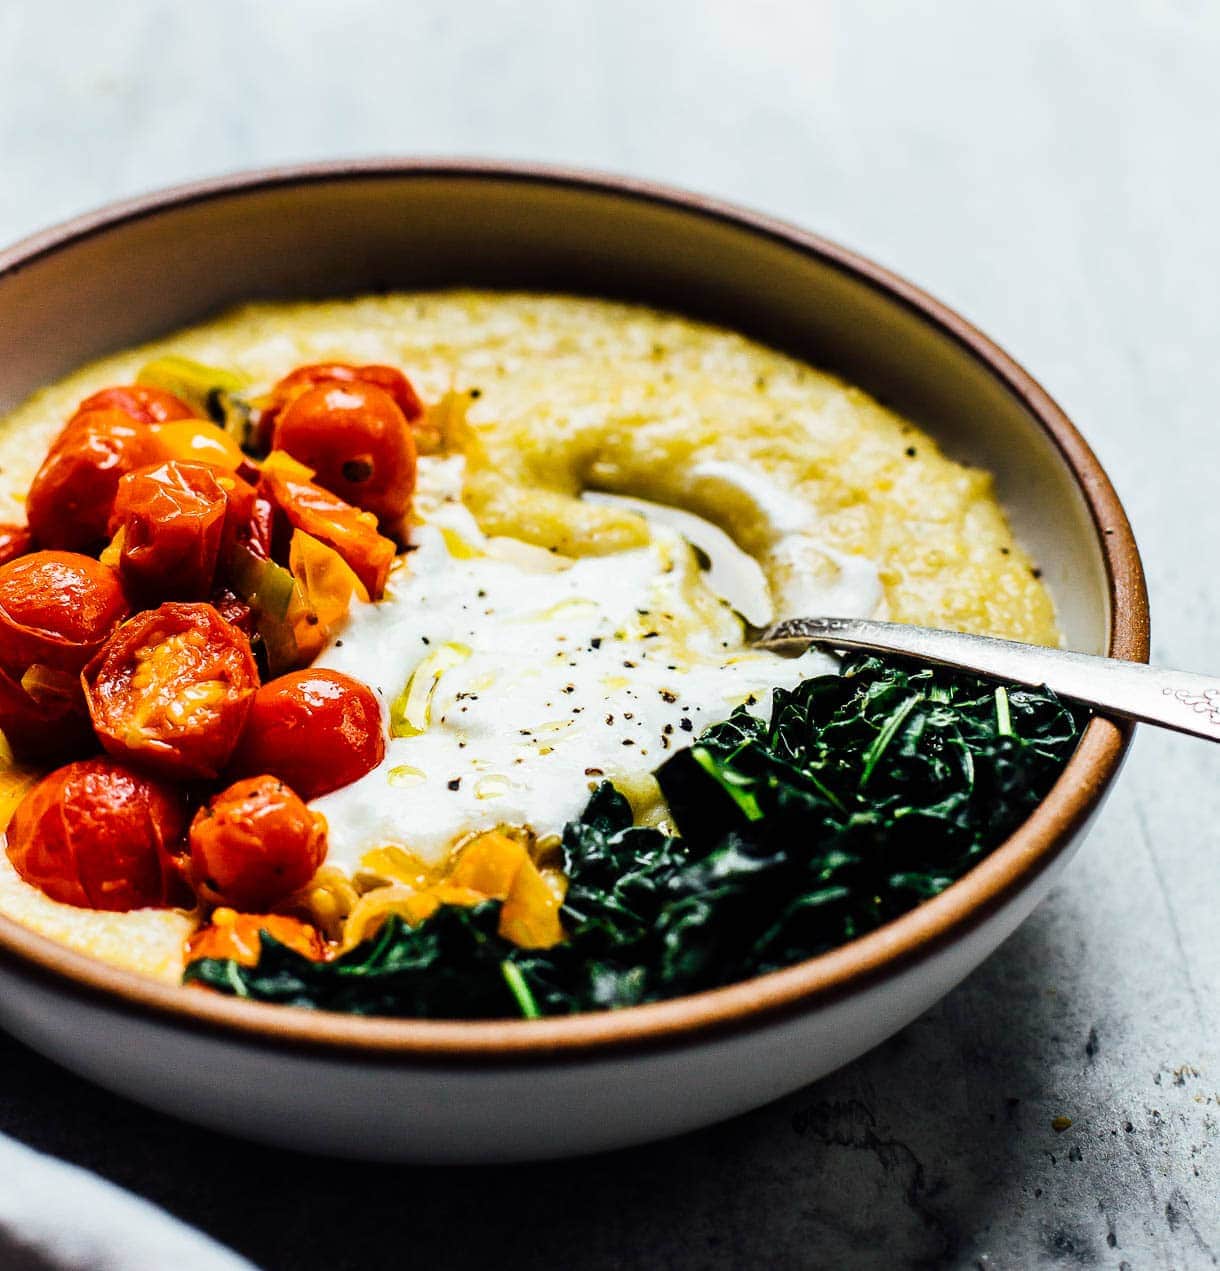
(677, 1023)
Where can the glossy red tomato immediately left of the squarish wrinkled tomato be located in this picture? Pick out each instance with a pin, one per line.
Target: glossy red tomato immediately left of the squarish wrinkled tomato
(71, 501)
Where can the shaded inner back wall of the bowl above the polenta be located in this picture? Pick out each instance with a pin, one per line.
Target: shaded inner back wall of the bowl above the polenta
(344, 233)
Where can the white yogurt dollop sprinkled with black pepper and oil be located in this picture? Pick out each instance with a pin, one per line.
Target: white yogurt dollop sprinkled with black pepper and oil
(534, 678)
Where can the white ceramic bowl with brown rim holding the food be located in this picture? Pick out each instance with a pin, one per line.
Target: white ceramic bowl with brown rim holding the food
(522, 1090)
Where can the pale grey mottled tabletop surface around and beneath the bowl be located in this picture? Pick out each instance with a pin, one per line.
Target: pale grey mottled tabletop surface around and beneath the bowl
(1052, 170)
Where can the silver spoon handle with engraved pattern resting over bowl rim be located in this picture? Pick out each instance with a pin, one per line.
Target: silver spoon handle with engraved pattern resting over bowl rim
(1172, 700)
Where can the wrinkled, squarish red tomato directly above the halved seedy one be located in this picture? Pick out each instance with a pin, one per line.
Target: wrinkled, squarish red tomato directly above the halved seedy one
(172, 520)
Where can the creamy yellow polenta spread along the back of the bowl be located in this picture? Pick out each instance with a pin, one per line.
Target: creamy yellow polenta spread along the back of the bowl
(550, 396)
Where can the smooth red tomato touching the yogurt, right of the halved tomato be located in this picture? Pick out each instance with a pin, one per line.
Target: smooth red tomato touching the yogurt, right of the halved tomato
(316, 730)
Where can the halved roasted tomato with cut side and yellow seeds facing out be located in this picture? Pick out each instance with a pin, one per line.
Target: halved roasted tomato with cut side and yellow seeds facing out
(171, 691)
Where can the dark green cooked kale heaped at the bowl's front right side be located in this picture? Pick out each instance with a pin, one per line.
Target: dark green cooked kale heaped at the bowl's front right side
(864, 795)
